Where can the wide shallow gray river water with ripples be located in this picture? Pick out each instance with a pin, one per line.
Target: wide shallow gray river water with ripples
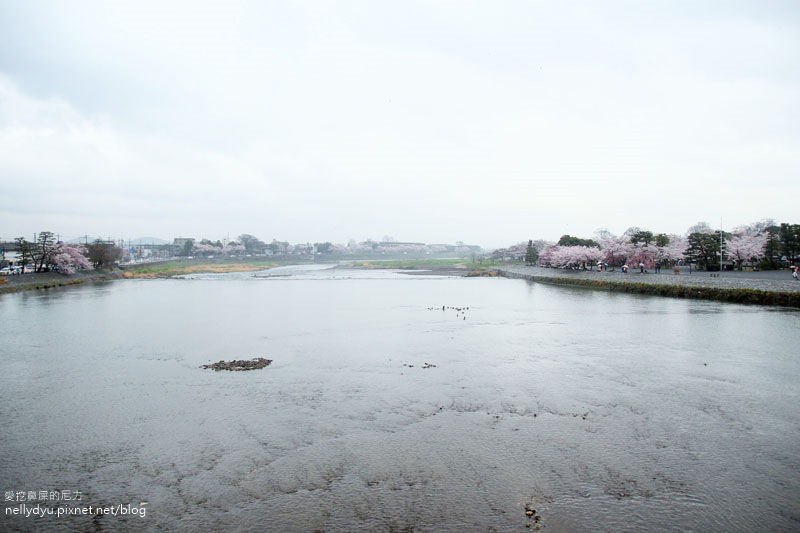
(383, 412)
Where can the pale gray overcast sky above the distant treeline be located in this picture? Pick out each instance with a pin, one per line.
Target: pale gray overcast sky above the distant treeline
(486, 122)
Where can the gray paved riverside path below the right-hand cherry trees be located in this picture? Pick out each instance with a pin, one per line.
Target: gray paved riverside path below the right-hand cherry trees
(773, 281)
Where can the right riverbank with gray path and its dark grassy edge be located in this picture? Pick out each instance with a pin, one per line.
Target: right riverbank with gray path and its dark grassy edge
(765, 290)
